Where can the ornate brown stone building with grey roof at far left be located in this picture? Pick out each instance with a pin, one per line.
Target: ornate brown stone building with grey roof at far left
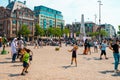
(14, 16)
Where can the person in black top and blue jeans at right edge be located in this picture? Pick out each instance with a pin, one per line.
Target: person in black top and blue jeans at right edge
(115, 48)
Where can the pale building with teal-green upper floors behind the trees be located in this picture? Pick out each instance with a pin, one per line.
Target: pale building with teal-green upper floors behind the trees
(48, 17)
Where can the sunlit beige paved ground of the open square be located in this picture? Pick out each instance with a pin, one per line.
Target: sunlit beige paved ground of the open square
(49, 64)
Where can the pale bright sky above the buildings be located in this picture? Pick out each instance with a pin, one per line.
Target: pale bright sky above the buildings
(73, 9)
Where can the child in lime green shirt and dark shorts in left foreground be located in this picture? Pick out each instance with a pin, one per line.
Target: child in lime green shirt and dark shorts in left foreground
(25, 61)
